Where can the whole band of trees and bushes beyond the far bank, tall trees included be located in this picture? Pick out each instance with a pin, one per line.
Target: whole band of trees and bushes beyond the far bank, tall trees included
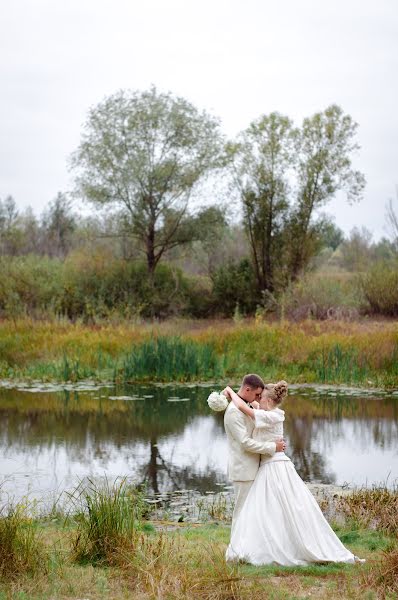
(148, 251)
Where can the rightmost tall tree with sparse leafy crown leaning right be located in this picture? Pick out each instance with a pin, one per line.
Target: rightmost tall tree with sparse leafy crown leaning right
(324, 147)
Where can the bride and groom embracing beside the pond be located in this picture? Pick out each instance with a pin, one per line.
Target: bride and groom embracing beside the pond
(276, 519)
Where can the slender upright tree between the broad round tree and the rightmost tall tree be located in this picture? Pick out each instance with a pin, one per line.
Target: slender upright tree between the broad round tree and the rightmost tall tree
(263, 156)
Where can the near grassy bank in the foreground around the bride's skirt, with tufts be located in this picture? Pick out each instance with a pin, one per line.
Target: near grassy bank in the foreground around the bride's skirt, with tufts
(105, 549)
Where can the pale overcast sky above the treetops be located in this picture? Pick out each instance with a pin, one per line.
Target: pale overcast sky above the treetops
(236, 58)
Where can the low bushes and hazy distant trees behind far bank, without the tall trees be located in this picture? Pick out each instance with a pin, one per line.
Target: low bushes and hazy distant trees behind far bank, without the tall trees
(82, 272)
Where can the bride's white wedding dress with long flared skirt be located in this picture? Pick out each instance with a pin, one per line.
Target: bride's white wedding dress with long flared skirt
(281, 521)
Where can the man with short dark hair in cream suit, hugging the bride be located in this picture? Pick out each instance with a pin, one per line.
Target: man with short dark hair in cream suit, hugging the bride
(244, 451)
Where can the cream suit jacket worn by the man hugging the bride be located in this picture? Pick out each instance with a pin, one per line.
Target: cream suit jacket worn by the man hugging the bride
(244, 451)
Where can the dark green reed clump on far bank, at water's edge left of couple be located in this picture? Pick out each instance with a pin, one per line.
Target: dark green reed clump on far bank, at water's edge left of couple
(171, 359)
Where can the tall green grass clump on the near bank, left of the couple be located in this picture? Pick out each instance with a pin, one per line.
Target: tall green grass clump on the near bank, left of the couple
(108, 518)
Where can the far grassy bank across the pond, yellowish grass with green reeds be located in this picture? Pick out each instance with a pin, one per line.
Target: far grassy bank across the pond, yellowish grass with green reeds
(325, 352)
